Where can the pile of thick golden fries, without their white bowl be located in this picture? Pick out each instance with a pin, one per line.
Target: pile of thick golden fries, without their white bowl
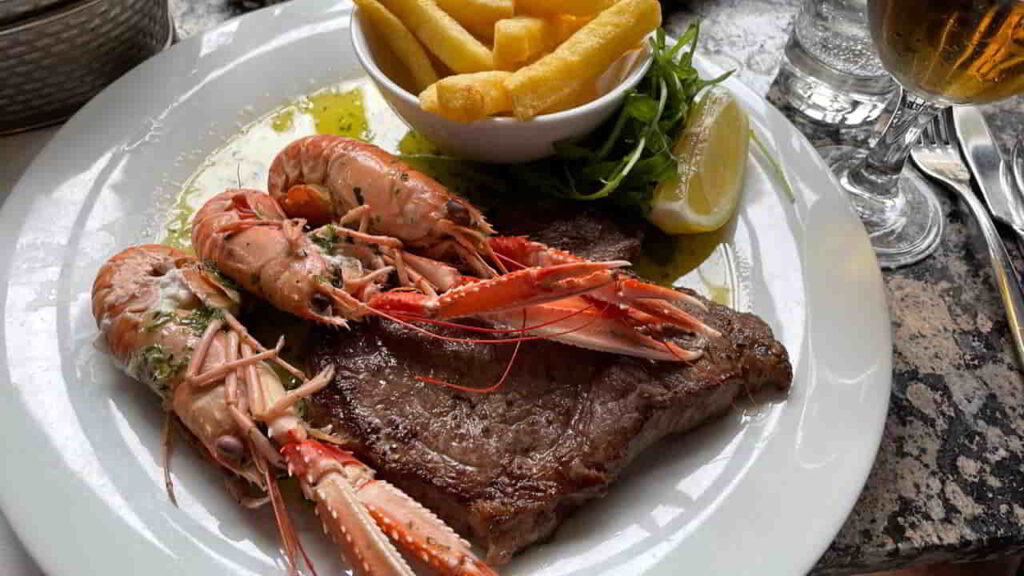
(471, 60)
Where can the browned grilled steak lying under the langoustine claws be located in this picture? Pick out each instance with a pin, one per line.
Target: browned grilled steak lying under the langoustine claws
(505, 469)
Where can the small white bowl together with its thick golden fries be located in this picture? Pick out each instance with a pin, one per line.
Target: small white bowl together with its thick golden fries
(503, 81)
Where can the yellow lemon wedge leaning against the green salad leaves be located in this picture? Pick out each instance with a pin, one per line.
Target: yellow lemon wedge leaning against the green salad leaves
(712, 152)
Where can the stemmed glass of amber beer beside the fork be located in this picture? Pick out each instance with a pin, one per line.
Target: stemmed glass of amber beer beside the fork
(943, 53)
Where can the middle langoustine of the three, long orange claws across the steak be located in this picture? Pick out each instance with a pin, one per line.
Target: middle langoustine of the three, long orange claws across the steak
(331, 277)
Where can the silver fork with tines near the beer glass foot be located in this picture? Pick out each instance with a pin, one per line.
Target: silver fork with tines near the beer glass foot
(938, 156)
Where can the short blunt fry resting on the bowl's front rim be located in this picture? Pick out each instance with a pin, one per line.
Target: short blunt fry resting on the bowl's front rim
(466, 98)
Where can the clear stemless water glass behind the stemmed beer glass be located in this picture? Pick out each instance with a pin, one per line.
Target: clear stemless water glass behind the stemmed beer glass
(830, 71)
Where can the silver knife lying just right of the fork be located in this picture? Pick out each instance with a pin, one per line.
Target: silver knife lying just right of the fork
(992, 174)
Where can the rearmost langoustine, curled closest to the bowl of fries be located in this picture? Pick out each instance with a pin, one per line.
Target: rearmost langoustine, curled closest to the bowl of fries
(327, 179)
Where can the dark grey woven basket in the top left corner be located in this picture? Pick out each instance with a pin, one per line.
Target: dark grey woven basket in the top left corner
(54, 63)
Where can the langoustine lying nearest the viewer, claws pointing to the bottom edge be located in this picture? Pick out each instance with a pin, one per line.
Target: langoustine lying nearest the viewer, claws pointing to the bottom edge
(170, 323)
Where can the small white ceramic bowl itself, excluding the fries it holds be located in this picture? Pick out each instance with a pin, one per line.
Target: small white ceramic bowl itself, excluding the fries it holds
(503, 140)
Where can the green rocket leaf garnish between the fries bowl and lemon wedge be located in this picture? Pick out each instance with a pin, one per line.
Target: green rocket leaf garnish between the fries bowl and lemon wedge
(622, 161)
